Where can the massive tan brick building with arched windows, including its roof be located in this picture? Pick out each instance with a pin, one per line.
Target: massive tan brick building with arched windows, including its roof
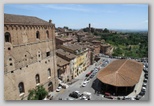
(29, 55)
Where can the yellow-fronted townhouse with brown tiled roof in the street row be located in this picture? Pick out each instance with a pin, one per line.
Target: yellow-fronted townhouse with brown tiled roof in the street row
(81, 53)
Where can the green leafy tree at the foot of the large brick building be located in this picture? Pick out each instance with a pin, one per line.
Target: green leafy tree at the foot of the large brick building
(39, 93)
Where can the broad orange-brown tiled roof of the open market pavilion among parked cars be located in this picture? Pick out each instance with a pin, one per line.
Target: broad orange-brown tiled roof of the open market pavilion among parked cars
(121, 73)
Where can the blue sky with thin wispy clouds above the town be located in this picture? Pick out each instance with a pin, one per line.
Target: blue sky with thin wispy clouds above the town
(77, 16)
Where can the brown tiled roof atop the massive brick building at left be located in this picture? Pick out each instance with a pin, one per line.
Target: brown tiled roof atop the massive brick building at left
(26, 20)
